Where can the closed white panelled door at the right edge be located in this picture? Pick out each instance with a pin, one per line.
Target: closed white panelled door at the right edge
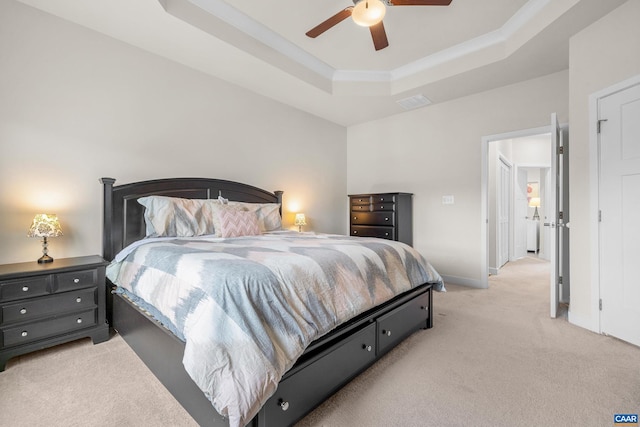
(619, 204)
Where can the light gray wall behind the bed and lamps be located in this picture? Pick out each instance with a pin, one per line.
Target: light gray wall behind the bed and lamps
(76, 105)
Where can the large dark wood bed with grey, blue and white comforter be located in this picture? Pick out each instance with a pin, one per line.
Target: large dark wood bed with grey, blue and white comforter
(331, 349)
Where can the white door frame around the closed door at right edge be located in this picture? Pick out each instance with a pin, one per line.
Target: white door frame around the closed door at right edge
(593, 322)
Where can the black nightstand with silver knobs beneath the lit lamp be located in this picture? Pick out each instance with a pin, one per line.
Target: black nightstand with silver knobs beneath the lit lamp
(42, 305)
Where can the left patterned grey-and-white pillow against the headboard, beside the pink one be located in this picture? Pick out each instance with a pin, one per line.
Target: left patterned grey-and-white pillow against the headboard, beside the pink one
(175, 217)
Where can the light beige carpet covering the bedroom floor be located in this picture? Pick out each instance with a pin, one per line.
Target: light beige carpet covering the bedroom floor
(493, 358)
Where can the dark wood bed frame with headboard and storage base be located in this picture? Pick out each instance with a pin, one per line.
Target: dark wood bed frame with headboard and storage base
(326, 365)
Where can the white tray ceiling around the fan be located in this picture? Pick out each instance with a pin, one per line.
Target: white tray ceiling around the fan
(441, 52)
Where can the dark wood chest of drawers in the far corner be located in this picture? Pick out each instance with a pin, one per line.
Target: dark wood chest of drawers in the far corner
(383, 215)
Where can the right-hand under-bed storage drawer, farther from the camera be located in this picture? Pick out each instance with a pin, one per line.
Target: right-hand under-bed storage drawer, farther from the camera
(396, 325)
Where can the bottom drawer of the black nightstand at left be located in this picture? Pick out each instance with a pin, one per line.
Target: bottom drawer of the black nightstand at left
(23, 334)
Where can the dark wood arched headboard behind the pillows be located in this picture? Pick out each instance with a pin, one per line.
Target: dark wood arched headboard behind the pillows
(123, 216)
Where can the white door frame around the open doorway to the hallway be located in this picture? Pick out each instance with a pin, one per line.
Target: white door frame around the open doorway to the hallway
(484, 193)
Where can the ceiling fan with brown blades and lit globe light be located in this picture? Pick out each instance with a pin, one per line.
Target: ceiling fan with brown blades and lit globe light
(369, 13)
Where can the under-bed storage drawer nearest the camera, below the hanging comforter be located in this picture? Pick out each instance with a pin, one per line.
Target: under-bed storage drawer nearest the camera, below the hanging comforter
(305, 389)
